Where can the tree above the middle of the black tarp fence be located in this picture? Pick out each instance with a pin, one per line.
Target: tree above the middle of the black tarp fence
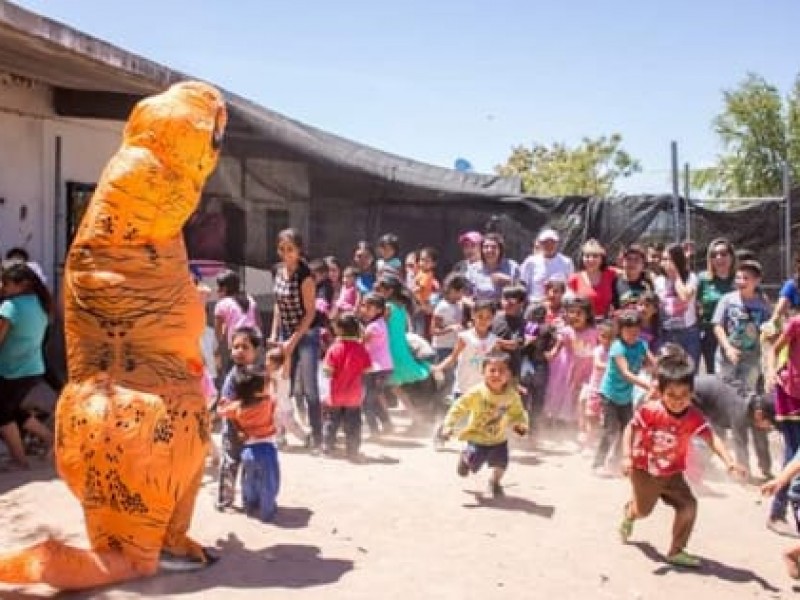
(589, 169)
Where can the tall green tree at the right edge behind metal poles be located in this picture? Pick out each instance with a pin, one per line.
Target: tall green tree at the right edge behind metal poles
(759, 131)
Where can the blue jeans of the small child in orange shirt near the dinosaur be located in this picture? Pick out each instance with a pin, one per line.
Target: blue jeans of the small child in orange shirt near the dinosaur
(261, 479)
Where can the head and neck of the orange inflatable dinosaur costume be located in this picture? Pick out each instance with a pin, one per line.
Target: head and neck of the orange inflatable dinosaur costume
(170, 146)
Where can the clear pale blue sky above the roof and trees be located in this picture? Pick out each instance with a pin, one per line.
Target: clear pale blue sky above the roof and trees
(437, 80)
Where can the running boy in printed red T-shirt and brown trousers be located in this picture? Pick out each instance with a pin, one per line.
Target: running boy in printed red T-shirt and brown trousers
(655, 445)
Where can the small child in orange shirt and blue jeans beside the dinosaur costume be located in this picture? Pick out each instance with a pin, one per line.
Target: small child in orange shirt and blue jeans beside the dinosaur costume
(253, 413)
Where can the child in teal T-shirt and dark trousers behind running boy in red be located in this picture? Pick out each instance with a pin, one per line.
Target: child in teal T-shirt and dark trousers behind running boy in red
(626, 358)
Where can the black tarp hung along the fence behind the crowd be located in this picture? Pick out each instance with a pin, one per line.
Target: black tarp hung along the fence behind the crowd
(337, 223)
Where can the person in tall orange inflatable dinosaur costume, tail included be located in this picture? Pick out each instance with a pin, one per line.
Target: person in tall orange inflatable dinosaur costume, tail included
(131, 424)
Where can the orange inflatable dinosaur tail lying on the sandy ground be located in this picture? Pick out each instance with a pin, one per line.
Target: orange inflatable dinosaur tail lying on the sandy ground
(66, 568)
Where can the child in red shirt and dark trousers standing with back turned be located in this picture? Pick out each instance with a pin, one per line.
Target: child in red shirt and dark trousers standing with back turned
(345, 363)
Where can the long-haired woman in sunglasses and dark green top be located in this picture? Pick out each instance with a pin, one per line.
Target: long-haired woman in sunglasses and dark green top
(713, 283)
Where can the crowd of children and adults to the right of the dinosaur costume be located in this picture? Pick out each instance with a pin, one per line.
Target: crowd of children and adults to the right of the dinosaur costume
(606, 356)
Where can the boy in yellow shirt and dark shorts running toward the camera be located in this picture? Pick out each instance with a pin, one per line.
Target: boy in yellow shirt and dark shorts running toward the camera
(491, 407)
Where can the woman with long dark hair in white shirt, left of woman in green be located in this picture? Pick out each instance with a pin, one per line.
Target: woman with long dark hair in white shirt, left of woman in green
(677, 290)
